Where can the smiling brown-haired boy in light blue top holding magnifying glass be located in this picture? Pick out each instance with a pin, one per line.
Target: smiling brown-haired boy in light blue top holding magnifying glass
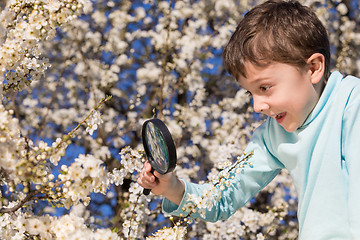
(280, 54)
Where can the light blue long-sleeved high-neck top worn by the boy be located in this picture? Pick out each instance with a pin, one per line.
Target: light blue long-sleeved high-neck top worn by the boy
(322, 157)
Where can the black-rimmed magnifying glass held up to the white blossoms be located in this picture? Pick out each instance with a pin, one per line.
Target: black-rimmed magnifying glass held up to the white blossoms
(159, 147)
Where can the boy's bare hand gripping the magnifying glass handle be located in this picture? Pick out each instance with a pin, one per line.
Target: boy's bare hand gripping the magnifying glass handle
(167, 185)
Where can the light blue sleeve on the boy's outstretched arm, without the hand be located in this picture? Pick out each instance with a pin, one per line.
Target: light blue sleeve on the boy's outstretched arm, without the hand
(243, 186)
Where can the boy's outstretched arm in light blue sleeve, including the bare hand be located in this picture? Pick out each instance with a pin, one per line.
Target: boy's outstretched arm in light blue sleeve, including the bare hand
(242, 188)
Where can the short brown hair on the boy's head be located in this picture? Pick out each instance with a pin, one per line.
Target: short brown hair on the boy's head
(276, 31)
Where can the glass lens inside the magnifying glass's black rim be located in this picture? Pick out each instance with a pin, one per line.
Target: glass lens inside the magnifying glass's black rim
(158, 151)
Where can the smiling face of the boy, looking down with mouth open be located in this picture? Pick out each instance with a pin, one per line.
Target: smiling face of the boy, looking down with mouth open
(281, 91)
